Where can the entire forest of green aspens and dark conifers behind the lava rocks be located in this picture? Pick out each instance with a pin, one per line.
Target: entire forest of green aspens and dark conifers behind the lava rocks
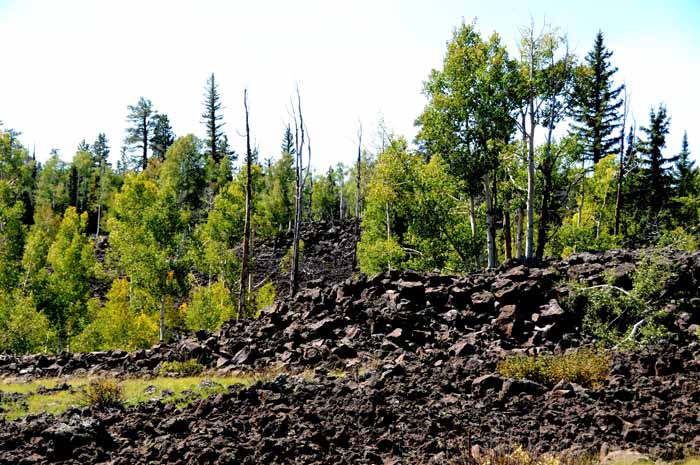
(517, 157)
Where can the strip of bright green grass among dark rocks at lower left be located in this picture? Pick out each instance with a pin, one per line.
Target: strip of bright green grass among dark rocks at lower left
(182, 391)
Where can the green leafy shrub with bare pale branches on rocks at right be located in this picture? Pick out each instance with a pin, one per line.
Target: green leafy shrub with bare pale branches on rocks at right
(627, 318)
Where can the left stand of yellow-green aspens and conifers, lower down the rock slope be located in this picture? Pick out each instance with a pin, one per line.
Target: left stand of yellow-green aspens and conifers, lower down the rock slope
(173, 212)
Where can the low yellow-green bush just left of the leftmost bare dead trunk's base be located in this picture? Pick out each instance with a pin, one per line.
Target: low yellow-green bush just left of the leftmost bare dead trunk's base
(210, 307)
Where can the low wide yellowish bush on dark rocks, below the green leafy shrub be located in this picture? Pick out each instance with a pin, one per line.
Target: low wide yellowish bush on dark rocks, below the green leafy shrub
(586, 367)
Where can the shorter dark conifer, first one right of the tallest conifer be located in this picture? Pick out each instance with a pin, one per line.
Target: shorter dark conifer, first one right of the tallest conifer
(655, 170)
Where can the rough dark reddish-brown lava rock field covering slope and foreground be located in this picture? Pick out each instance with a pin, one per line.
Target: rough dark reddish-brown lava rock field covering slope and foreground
(420, 355)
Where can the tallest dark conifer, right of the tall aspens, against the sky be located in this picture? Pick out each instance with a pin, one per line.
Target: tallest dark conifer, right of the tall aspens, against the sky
(597, 103)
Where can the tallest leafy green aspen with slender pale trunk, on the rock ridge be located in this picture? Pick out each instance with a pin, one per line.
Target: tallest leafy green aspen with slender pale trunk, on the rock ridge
(469, 115)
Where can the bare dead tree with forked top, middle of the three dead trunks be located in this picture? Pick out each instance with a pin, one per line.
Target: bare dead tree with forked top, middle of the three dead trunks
(300, 136)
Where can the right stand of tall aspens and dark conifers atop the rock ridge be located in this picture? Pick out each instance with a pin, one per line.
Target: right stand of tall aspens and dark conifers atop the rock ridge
(525, 157)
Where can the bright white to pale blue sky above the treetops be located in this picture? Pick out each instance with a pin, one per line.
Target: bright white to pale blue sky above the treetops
(71, 68)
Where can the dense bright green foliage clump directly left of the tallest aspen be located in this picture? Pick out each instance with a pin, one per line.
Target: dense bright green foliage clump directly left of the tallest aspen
(413, 215)
